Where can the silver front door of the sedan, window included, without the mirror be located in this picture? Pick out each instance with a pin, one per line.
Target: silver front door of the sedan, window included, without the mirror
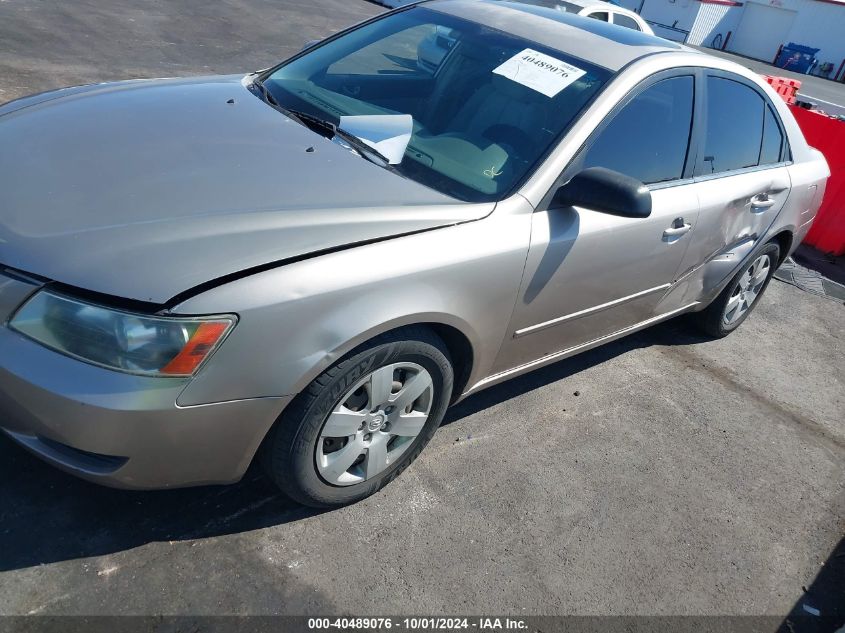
(590, 274)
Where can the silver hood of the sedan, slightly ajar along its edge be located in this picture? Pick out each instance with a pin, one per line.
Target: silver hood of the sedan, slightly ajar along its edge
(145, 189)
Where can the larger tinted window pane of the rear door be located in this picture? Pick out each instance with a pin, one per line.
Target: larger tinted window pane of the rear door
(734, 127)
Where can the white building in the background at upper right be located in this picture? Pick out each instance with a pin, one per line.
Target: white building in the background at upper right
(754, 28)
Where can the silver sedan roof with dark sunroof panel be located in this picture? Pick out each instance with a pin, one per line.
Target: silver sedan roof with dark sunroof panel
(604, 44)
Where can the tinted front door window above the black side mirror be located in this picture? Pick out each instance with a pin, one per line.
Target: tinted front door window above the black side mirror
(648, 138)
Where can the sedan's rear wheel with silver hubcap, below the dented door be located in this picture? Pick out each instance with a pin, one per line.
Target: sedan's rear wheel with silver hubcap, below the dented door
(721, 318)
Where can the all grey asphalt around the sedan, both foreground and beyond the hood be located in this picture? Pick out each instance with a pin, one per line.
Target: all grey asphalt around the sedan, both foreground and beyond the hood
(687, 476)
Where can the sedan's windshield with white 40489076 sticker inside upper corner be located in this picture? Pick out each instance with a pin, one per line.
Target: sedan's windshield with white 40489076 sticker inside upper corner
(483, 107)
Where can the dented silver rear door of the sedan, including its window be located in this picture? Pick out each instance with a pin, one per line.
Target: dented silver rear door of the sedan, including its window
(741, 172)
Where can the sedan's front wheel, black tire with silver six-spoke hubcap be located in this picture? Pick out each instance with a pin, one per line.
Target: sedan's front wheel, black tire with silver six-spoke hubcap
(320, 431)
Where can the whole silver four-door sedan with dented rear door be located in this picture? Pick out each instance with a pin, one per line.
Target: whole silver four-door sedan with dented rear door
(308, 264)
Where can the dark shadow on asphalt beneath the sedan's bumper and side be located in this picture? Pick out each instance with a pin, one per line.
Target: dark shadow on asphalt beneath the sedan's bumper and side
(49, 516)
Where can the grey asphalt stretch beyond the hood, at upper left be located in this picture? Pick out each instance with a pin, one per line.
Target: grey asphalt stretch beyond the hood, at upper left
(46, 45)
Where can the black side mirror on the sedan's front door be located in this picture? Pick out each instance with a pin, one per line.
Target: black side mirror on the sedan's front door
(607, 191)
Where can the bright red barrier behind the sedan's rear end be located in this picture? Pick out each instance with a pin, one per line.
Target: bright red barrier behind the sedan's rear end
(827, 134)
